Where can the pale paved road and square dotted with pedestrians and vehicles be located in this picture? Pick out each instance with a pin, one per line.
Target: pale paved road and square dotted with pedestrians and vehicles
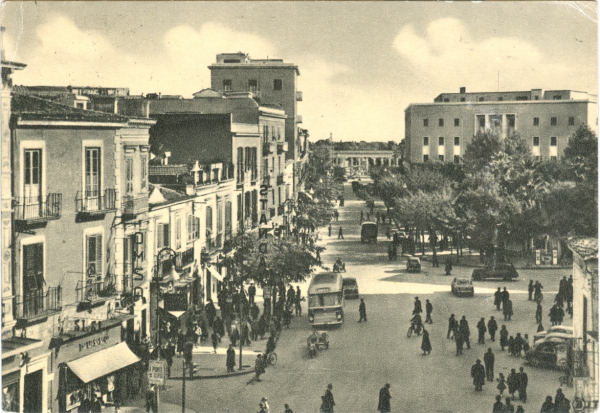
(364, 356)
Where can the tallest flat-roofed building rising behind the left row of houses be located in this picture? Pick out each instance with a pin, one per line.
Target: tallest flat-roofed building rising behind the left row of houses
(271, 81)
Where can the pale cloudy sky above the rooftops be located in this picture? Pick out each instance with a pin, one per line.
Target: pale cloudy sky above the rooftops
(361, 63)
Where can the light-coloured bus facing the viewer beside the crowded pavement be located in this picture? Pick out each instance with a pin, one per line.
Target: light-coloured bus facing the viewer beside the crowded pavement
(325, 299)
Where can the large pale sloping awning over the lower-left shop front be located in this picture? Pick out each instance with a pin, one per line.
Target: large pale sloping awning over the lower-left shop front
(103, 362)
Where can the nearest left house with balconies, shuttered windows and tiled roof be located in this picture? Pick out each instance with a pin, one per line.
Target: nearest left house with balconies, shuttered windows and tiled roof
(77, 177)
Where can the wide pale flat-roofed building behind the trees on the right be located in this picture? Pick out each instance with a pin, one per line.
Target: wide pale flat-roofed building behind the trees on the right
(441, 130)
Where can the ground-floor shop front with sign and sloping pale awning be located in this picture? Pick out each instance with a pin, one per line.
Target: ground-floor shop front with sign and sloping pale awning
(97, 368)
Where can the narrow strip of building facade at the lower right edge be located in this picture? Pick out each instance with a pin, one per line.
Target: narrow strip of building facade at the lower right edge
(585, 320)
